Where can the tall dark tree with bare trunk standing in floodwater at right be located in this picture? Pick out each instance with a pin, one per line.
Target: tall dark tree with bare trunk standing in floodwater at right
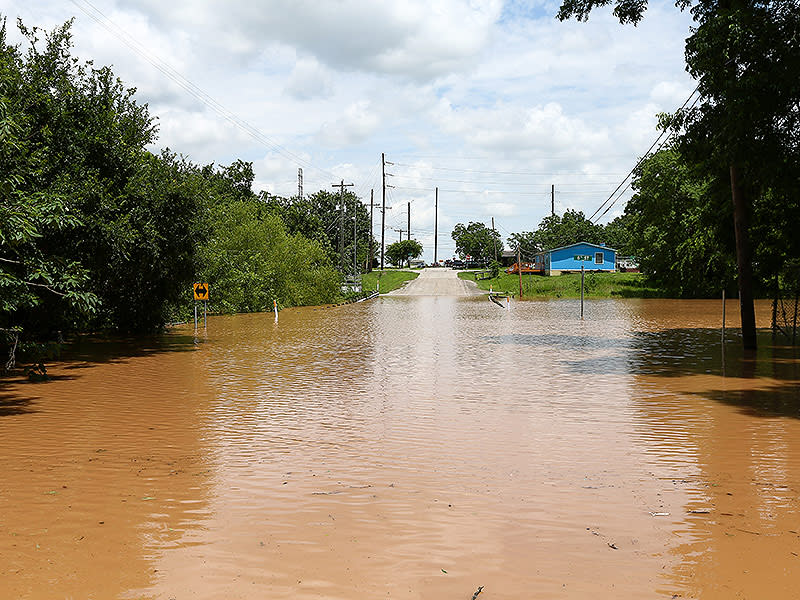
(745, 56)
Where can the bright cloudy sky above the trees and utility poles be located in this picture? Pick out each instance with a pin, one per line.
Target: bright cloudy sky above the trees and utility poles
(491, 101)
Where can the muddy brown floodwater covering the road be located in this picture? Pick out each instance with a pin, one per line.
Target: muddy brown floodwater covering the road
(410, 447)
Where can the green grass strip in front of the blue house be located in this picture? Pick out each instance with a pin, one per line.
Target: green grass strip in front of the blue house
(596, 285)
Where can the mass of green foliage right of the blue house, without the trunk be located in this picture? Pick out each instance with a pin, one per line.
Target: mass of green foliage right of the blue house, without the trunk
(745, 56)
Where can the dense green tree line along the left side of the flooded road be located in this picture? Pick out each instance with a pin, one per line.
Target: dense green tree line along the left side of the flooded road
(97, 232)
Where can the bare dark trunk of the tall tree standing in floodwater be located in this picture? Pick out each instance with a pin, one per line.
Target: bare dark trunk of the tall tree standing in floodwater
(743, 262)
